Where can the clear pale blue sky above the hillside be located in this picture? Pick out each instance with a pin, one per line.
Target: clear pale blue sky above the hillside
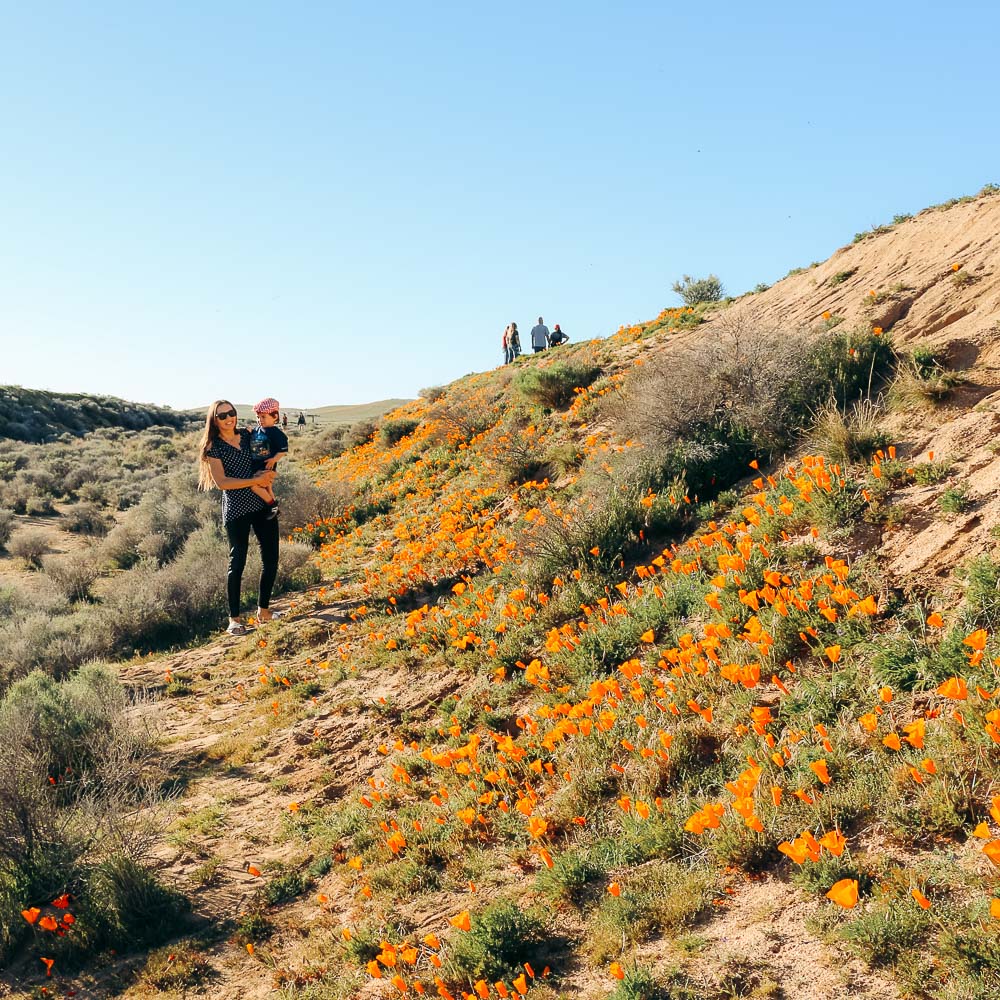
(340, 202)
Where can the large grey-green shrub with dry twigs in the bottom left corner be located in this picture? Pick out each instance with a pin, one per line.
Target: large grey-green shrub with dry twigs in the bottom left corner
(79, 798)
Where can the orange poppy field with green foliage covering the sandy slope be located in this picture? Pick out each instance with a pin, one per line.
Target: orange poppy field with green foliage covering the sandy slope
(744, 701)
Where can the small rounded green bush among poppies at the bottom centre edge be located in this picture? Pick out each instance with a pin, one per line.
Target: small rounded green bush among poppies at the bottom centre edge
(502, 937)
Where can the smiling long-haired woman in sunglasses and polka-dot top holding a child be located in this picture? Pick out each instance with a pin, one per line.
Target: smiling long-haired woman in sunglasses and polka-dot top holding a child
(224, 462)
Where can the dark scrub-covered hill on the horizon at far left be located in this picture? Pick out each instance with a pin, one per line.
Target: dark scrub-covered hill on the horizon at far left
(37, 415)
